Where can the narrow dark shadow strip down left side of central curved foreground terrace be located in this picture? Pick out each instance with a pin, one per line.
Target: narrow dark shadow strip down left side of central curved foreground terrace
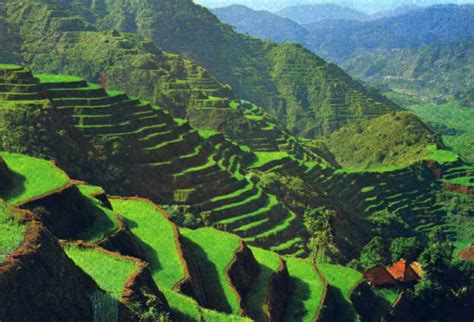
(212, 286)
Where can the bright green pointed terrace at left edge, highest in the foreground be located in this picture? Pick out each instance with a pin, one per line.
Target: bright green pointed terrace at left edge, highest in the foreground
(32, 177)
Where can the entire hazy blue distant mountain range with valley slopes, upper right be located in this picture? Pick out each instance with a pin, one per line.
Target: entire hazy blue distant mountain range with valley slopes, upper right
(422, 50)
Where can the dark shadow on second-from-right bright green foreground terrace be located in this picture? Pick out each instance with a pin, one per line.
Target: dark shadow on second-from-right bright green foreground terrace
(296, 310)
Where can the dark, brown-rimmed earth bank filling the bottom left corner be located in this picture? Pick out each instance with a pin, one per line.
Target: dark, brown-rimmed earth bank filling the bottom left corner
(38, 282)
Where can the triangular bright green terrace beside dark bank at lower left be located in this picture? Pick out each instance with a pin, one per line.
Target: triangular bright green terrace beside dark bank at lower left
(109, 271)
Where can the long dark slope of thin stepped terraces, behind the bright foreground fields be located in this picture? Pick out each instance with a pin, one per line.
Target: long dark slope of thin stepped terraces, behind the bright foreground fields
(175, 162)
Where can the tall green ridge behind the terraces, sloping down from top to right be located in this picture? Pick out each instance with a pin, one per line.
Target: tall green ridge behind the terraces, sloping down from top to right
(182, 27)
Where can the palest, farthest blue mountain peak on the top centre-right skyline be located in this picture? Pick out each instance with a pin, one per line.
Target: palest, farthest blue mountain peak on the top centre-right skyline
(308, 14)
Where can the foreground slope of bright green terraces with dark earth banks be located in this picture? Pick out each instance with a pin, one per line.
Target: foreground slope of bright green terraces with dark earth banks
(132, 273)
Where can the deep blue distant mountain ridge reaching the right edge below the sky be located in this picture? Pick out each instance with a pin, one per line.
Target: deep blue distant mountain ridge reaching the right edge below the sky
(415, 29)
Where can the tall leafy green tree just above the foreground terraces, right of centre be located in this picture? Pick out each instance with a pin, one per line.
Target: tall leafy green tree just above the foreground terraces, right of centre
(317, 223)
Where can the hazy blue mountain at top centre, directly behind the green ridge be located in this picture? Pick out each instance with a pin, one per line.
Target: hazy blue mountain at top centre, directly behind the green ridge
(261, 24)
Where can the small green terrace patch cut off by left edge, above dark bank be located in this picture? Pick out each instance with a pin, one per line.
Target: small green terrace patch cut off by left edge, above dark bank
(12, 231)
